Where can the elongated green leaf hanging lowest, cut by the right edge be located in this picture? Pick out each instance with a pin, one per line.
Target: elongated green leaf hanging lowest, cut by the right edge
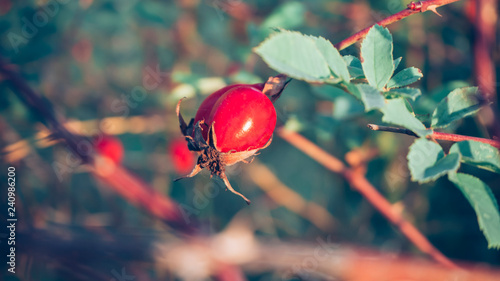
(484, 203)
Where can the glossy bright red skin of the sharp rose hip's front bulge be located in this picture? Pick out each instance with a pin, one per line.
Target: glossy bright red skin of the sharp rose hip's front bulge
(244, 119)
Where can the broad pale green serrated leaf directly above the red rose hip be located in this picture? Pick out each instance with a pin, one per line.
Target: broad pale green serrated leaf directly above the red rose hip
(294, 54)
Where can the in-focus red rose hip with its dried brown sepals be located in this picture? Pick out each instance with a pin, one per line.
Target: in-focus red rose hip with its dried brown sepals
(231, 125)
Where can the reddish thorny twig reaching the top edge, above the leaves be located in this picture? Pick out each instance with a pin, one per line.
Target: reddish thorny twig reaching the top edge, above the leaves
(413, 8)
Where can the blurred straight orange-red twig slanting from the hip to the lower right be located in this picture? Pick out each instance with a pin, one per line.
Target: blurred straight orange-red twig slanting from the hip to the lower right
(363, 186)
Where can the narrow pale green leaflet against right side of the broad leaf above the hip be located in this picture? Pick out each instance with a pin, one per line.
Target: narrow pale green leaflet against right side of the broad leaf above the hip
(333, 58)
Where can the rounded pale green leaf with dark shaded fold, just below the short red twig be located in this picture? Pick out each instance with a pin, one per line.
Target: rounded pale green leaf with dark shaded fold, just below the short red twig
(427, 162)
